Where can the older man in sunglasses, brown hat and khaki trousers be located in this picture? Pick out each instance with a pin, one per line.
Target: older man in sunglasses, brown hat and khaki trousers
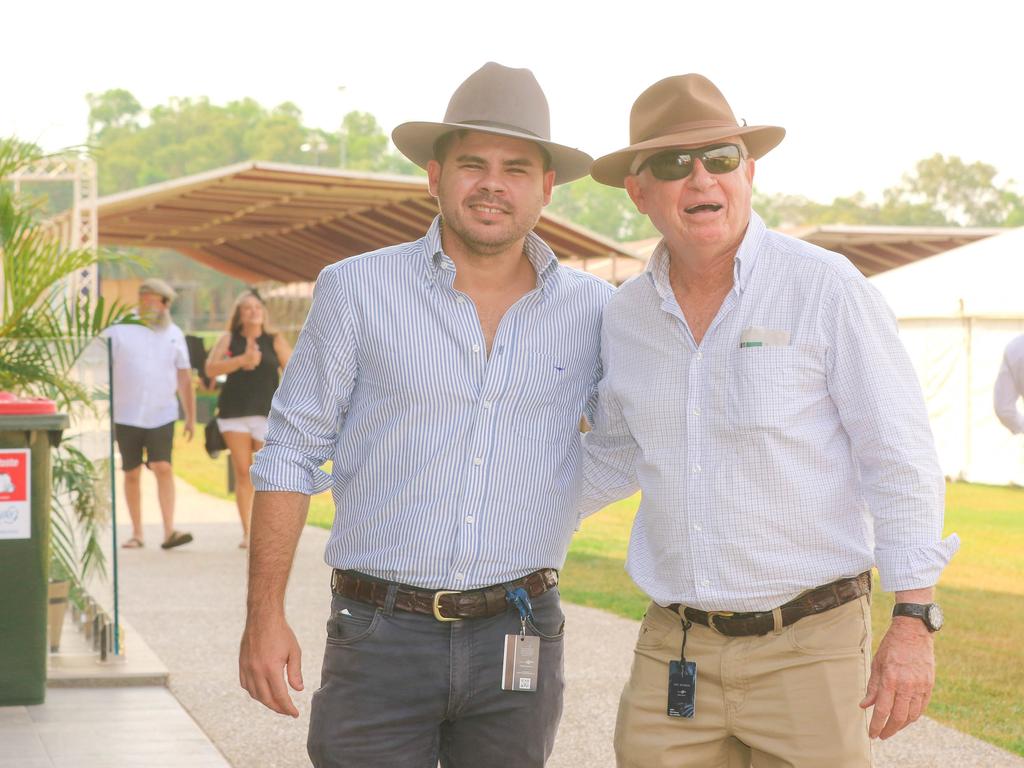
(756, 392)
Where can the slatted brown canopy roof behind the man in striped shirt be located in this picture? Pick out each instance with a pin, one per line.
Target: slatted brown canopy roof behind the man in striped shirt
(284, 223)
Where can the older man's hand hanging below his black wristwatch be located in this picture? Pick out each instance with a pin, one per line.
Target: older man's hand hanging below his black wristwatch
(903, 676)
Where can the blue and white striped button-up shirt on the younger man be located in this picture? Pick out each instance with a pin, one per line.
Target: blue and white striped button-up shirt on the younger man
(452, 470)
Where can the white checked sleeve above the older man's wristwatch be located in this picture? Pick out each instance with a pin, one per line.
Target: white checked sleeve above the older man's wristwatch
(881, 407)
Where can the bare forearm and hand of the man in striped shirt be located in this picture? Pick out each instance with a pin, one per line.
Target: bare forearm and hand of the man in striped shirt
(269, 646)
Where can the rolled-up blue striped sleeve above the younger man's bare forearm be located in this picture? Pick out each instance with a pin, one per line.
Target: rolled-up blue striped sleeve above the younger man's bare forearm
(311, 405)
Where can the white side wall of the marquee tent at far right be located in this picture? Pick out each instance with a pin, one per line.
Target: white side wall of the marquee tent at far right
(957, 360)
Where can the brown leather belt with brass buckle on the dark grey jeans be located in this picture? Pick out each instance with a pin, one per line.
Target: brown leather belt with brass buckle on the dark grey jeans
(445, 606)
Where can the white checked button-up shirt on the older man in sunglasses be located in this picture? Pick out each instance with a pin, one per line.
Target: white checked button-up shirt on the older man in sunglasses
(766, 471)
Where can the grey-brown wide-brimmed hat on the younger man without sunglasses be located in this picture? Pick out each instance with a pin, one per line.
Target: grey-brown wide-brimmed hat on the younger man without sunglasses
(503, 102)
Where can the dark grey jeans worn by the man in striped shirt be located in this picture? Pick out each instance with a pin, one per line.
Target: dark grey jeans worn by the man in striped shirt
(404, 690)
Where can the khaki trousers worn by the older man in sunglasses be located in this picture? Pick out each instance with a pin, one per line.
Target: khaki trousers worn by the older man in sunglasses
(789, 699)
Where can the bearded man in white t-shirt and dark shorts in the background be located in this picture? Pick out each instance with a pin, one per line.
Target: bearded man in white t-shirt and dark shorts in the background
(151, 373)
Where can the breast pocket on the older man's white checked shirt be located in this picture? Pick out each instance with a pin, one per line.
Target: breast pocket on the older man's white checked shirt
(773, 388)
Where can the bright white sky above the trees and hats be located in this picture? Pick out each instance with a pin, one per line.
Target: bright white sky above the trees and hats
(864, 89)
